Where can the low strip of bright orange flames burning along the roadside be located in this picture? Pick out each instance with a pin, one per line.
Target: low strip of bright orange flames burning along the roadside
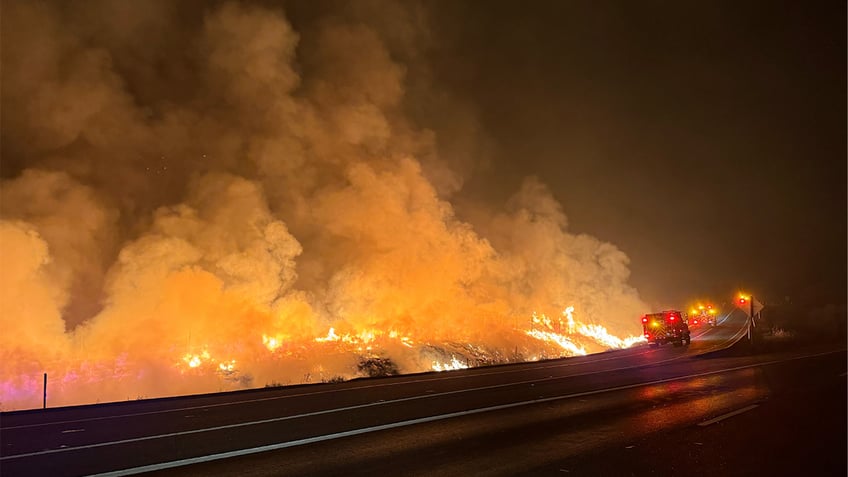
(79, 379)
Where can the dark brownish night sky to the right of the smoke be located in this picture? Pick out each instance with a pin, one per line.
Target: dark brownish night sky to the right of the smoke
(707, 140)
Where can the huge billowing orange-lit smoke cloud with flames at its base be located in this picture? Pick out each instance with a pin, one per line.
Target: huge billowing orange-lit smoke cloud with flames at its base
(200, 197)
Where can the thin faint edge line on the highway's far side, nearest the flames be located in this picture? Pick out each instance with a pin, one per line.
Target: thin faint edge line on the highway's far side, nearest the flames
(316, 393)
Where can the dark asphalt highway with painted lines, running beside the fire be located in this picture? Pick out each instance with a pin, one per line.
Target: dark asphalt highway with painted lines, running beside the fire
(524, 419)
